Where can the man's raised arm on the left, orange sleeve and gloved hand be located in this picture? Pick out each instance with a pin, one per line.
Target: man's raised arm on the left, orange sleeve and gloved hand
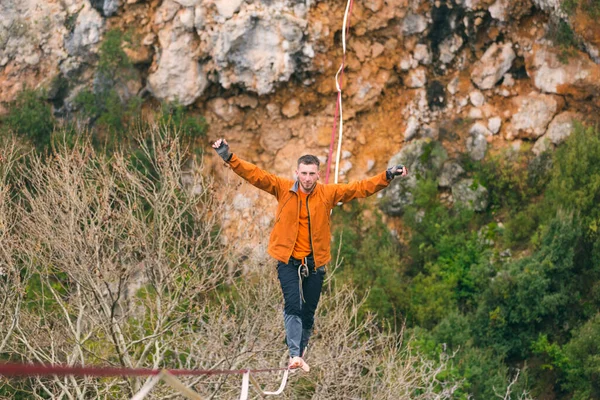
(254, 175)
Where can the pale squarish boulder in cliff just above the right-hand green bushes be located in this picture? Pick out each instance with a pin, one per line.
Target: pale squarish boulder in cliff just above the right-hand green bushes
(534, 113)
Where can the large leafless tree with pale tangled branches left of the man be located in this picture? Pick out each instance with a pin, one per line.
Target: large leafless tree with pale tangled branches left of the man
(124, 255)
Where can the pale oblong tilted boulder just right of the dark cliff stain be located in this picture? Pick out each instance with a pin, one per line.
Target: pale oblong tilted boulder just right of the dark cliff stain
(496, 61)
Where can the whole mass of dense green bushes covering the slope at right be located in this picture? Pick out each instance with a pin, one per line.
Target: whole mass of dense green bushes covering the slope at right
(500, 313)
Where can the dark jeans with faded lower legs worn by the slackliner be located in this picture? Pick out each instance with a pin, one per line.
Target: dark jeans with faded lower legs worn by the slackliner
(299, 315)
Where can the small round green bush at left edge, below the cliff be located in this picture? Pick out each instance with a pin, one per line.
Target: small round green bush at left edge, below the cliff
(30, 116)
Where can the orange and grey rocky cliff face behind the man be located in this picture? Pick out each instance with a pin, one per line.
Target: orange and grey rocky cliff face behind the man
(473, 75)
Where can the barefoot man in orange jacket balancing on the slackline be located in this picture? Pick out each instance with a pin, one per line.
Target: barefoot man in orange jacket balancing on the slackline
(301, 236)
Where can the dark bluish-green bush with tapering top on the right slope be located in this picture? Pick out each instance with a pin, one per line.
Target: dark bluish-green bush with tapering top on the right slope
(536, 293)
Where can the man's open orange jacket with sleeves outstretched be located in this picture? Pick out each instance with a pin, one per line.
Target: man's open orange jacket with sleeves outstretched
(320, 202)
